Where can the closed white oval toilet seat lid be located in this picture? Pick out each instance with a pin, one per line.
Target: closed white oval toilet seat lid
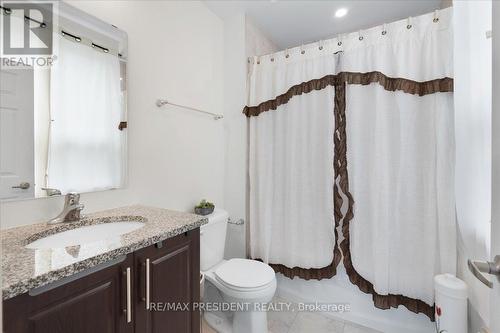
(244, 274)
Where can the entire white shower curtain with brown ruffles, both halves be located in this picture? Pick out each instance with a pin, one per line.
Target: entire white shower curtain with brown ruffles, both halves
(394, 157)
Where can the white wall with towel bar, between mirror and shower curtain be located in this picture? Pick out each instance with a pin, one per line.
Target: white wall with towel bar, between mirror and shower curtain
(176, 157)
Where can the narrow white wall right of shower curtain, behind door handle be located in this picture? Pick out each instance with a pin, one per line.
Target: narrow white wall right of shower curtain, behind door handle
(473, 82)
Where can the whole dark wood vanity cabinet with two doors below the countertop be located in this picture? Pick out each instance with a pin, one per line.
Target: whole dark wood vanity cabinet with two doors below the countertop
(111, 298)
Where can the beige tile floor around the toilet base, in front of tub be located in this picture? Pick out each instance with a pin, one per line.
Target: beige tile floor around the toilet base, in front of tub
(305, 322)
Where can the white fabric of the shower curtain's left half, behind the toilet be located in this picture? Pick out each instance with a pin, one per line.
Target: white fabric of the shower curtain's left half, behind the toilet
(291, 164)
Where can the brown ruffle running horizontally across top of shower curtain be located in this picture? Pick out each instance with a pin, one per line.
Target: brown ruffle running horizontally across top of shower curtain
(389, 83)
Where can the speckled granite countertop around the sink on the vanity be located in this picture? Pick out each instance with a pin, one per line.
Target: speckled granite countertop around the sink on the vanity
(24, 269)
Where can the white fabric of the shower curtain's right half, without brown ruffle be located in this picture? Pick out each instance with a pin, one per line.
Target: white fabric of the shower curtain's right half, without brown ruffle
(400, 157)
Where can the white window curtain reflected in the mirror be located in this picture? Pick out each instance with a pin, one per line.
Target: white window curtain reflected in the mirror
(85, 146)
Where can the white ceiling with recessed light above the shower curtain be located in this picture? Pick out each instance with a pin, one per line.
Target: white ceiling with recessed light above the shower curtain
(291, 23)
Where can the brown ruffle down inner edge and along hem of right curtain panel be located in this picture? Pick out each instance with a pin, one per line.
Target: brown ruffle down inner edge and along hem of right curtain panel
(380, 301)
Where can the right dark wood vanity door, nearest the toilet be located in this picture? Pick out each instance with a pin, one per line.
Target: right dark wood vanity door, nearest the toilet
(168, 277)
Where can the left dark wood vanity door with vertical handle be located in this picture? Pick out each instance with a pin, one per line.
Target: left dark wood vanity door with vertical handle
(93, 301)
